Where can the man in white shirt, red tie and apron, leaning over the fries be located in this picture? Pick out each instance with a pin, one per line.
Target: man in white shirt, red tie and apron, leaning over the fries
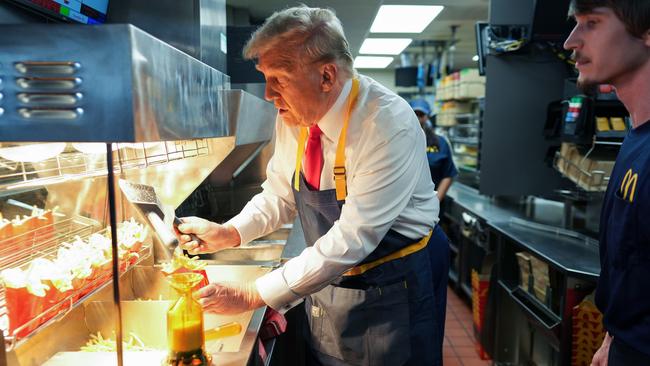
(350, 161)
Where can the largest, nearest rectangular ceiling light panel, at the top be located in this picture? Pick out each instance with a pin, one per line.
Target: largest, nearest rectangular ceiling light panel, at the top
(404, 18)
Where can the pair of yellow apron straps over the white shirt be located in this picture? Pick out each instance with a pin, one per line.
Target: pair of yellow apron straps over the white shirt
(339, 161)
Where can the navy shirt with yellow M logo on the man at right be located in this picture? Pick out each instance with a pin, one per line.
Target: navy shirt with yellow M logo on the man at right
(623, 293)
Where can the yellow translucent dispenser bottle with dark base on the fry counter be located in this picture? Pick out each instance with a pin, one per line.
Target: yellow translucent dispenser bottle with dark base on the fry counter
(185, 337)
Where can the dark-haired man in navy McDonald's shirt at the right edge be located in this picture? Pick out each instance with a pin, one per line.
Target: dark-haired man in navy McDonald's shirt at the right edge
(611, 45)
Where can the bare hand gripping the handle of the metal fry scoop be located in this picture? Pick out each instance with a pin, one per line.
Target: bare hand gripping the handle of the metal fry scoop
(213, 236)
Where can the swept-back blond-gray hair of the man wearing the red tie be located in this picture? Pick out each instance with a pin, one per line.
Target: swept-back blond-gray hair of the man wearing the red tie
(302, 34)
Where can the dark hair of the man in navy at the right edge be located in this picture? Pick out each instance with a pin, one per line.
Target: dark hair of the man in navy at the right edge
(635, 14)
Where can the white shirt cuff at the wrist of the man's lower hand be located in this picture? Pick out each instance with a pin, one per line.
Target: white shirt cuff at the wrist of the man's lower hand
(275, 292)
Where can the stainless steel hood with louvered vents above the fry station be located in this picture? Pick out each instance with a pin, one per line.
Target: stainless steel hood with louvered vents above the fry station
(114, 83)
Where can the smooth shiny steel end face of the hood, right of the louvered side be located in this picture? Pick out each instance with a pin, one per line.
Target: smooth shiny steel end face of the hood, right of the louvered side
(175, 96)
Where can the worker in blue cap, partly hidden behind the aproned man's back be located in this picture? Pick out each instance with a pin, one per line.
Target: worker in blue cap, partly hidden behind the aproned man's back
(441, 163)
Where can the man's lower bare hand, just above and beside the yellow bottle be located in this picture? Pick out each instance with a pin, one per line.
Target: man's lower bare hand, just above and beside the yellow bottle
(229, 298)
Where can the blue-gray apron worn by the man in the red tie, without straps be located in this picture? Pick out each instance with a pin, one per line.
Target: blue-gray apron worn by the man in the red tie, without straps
(389, 315)
